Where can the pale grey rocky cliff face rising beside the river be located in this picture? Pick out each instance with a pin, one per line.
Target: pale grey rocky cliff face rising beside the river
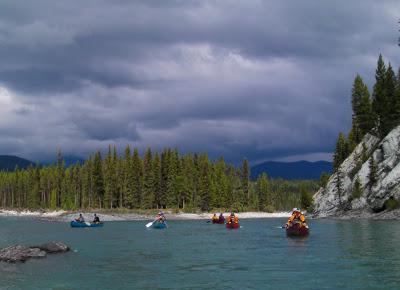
(337, 198)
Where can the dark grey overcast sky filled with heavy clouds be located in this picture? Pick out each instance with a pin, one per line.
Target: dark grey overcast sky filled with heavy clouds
(265, 80)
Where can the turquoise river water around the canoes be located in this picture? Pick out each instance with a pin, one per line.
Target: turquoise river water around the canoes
(198, 255)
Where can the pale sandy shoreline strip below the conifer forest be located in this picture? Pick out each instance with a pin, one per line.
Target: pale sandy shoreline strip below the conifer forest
(61, 215)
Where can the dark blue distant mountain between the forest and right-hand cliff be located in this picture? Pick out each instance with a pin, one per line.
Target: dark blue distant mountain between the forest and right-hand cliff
(292, 170)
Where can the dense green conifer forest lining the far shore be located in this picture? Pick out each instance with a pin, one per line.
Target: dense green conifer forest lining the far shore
(154, 181)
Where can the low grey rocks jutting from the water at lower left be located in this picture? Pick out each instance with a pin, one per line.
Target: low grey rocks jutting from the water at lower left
(20, 253)
